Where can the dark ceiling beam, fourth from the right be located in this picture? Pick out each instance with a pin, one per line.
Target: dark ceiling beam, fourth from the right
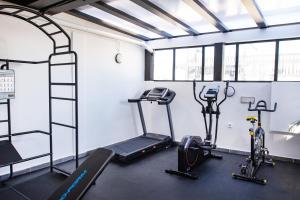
(120, 14)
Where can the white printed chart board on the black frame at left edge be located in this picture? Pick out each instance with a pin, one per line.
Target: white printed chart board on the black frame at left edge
(7, 84)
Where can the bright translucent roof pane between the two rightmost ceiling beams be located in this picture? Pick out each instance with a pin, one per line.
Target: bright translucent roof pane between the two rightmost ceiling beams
(231, 12)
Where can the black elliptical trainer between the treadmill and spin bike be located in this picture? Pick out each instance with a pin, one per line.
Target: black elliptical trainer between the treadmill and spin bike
(192, 150)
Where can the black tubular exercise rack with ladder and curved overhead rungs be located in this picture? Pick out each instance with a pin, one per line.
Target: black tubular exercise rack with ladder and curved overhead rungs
(9, 156)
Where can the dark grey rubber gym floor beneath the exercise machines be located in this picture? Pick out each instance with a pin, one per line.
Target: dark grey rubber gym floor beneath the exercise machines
(145, 179)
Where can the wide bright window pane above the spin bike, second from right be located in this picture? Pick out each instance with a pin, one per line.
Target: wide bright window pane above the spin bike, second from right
(257, 61)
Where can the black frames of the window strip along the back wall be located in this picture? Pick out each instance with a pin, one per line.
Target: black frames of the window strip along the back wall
(276, 58)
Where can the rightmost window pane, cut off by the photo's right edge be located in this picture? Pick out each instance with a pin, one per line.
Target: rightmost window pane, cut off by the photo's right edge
(289, 61)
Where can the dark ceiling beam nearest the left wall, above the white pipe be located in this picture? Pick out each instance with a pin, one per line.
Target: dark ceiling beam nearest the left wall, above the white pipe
(100, 22)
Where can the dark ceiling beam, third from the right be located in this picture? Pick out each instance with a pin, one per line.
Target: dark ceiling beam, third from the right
(147, 5)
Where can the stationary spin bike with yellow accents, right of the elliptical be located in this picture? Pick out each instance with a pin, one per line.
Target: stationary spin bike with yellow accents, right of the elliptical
(259, 152)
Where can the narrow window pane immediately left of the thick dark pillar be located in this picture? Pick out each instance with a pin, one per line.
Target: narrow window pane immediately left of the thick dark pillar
(209, 63)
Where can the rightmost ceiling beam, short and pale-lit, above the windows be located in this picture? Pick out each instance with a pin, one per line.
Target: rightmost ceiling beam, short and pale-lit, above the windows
(255, 12)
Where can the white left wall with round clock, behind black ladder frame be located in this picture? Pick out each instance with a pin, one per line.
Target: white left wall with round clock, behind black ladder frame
(105, 116)
